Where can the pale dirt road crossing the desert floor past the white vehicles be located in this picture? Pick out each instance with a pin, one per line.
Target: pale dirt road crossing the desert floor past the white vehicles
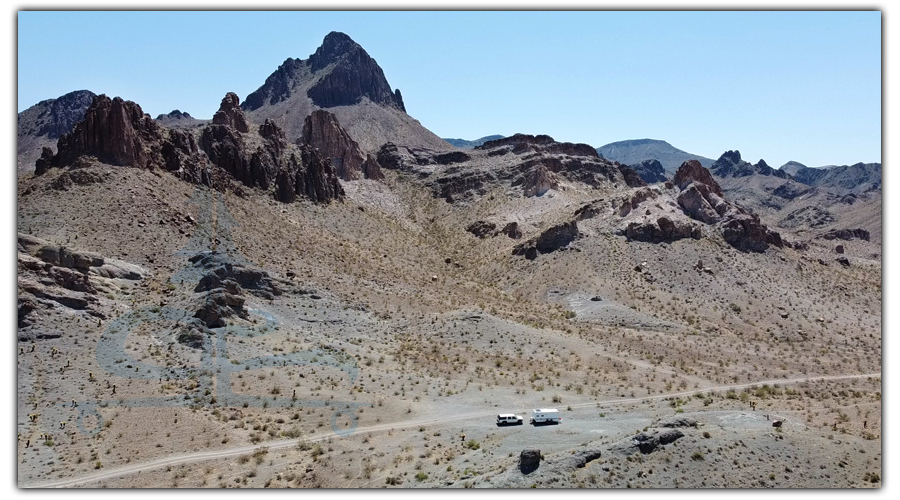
(287, 443)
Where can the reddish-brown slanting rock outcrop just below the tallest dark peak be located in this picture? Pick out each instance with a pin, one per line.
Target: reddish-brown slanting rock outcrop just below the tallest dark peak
(322, 131)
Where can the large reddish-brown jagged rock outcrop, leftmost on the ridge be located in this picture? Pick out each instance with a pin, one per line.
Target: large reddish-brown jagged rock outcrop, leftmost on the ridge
(115, 131)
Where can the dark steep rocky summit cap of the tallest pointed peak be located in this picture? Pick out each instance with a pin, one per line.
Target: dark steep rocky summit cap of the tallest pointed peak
(355, 75)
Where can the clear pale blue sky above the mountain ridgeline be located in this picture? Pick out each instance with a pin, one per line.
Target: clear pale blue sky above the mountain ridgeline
(781, 86)
